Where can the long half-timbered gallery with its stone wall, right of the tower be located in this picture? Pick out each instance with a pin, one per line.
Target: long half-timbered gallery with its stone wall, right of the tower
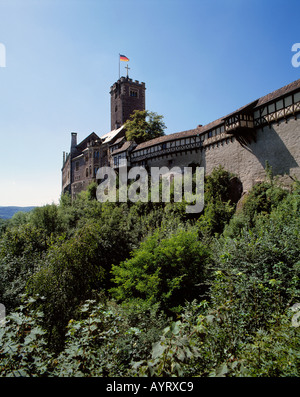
(275, 126)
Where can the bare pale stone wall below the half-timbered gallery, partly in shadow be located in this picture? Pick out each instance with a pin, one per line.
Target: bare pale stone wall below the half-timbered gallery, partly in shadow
(278, 144)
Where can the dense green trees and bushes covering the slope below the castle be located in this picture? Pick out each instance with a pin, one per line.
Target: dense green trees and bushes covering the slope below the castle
(143, 289)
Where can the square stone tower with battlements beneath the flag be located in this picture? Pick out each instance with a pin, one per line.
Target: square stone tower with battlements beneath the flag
(126, 96)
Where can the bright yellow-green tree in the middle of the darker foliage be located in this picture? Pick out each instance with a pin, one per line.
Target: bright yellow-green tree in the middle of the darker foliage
(165, 269)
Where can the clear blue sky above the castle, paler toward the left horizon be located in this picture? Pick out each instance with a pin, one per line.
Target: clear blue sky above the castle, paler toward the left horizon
(200, 60)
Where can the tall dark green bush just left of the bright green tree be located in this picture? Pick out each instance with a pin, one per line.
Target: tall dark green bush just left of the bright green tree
(72, 269)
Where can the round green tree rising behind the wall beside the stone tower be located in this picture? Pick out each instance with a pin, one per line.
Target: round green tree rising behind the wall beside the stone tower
(143, 126)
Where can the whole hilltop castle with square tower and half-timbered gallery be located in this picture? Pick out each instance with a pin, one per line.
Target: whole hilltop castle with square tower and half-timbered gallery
(243, 142)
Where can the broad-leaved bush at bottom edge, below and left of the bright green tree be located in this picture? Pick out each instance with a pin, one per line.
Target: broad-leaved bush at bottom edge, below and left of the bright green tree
(106, 339)
